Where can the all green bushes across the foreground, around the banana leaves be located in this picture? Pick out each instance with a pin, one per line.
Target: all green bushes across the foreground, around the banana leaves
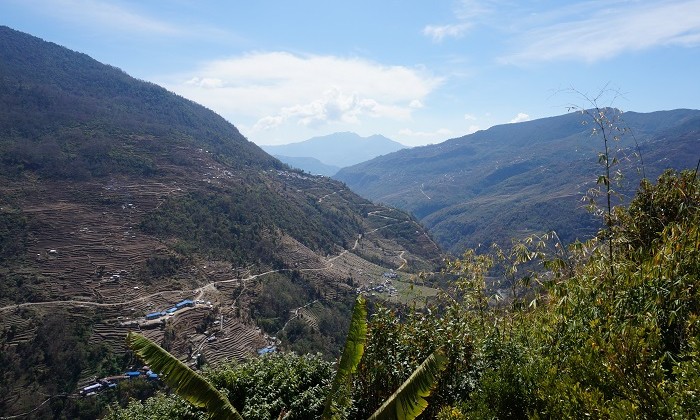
(573, 339)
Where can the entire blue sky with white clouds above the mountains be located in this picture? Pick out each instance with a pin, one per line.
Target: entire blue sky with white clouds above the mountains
(417, 72)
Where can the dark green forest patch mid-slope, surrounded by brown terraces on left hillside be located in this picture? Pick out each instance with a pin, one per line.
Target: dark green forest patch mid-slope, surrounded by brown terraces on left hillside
(242, 223)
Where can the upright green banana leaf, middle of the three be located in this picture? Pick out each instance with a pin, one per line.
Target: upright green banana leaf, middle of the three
(338, 398)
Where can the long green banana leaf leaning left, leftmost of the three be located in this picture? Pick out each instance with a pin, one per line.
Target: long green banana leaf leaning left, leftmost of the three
(186, 382)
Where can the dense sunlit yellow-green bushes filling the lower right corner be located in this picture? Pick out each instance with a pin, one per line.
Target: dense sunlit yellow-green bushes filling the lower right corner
(604, 348)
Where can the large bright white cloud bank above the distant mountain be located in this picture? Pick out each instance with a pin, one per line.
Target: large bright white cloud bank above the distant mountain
(277, 88)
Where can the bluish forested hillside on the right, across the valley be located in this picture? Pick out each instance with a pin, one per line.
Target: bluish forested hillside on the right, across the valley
(516, 179)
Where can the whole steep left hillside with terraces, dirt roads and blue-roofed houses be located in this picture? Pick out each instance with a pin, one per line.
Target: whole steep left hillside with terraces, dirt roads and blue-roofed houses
(119, 199)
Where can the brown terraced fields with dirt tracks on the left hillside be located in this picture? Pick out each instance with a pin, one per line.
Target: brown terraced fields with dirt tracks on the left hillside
(87, 259)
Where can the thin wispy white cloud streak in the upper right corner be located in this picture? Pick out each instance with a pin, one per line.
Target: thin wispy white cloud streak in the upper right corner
(609, 29)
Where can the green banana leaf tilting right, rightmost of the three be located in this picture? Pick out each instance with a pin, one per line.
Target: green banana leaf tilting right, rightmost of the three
(409, 400)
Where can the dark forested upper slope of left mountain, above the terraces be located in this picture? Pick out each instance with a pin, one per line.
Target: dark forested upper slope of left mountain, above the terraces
(86, 106)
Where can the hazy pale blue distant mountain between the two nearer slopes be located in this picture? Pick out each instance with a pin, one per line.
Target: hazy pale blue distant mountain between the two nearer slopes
(337, 149)
